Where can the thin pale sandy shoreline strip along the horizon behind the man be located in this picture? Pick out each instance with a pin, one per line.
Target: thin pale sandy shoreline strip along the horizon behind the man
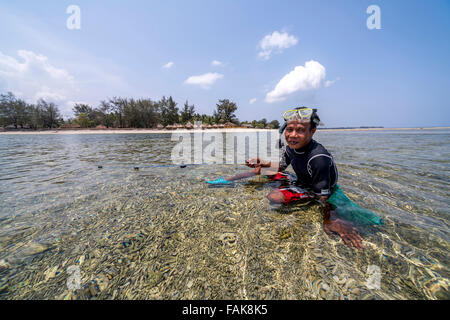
(134, 131)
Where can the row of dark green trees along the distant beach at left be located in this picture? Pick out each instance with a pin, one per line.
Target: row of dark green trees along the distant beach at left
(117, 112)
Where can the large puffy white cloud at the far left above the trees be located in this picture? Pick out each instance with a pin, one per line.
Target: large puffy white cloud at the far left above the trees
(33, 77)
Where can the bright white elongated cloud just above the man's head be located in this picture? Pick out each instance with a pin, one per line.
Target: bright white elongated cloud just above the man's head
(308, 77)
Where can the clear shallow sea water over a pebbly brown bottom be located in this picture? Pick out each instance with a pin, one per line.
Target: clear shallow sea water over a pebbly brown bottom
(161, 233)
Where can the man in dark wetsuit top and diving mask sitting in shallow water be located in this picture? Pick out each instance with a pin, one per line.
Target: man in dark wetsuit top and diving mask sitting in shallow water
(314, 167)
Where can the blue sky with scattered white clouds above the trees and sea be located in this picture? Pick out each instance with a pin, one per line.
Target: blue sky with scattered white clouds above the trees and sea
(270, 56)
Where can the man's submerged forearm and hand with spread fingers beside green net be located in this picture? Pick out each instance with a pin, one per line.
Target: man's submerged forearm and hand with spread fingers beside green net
(344, 229)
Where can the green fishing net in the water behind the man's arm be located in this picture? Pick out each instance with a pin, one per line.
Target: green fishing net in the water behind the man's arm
(350, 211)
